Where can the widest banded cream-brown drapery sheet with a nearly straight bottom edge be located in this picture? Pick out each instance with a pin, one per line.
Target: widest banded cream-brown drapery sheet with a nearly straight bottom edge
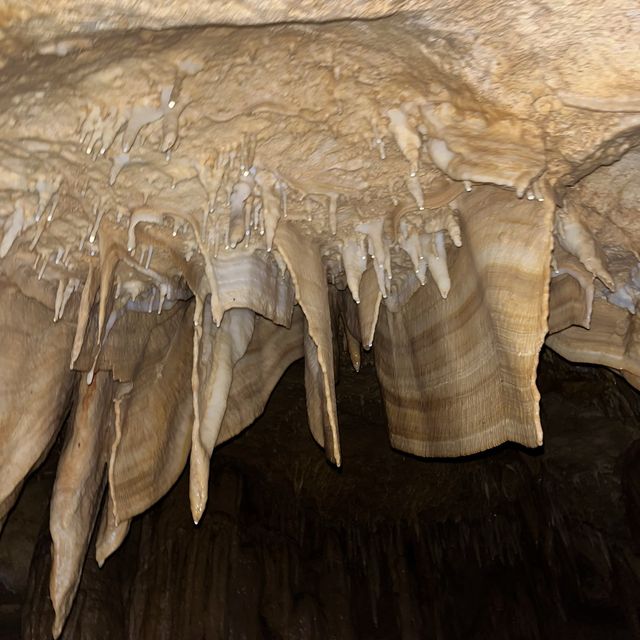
(458, 374)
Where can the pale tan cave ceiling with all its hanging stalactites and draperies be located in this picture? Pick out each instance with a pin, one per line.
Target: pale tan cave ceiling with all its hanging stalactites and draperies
(185, 212)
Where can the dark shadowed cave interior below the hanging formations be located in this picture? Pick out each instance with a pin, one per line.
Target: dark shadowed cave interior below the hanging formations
(511, 543)
